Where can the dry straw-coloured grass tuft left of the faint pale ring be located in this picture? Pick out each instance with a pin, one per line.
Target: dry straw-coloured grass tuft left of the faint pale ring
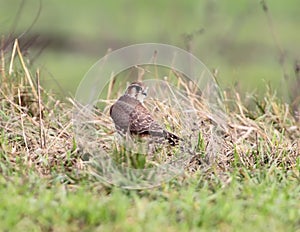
(35, 127)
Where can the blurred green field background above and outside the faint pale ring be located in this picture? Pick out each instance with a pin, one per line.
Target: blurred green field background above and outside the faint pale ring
(245, 44)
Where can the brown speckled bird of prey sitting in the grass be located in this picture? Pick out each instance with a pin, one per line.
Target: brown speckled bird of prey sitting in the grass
(131, 116)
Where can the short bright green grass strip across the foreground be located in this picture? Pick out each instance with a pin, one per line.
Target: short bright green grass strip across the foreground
(258, 200)
